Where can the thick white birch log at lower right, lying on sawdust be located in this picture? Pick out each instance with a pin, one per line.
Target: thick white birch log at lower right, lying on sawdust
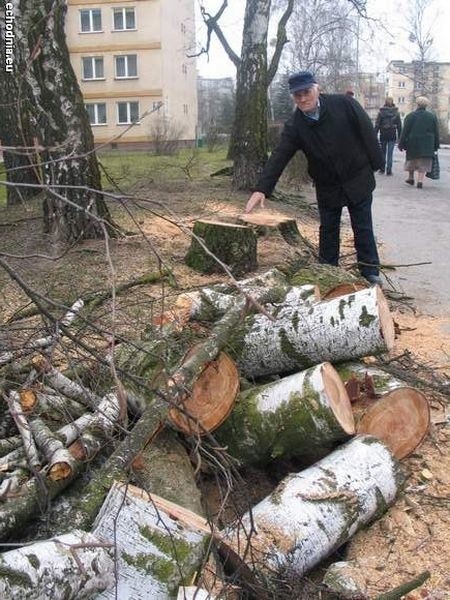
(312, 513)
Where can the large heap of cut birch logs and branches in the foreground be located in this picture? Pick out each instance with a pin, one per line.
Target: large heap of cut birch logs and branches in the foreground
(263, 369)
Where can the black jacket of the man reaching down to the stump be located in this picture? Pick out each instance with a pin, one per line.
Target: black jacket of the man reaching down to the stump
(341, 148)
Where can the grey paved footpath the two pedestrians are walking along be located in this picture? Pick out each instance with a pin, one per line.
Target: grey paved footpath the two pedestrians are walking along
(413, 226)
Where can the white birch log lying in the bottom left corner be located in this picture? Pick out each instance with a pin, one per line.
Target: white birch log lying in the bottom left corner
(75, 565)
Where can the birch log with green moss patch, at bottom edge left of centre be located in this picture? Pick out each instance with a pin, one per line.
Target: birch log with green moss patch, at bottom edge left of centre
(158, 544)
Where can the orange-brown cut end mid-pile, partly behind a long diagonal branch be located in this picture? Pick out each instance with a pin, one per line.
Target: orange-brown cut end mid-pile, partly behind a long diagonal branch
(212, 399)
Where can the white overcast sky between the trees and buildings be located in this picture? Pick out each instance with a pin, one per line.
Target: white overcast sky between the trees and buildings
(390, 42)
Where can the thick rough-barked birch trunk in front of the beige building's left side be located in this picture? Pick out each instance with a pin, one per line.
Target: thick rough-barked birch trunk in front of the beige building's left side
(61, 122)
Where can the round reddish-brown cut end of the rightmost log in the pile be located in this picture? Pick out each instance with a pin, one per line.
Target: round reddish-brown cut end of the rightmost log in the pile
(400, 419)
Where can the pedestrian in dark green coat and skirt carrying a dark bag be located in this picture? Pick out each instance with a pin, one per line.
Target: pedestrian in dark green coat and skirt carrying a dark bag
(420, 139)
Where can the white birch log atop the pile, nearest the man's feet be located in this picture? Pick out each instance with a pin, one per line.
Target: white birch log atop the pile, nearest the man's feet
(344, 328)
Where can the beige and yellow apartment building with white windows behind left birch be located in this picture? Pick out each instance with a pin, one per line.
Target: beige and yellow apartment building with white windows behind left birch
(130, 59)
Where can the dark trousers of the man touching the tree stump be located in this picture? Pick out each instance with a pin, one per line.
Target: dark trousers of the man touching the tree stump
(361, 220)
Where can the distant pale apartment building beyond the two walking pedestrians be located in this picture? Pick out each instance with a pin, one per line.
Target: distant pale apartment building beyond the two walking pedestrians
(408, 80)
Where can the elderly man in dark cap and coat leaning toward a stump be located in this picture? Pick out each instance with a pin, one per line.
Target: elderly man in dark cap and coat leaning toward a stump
(342, 151)
